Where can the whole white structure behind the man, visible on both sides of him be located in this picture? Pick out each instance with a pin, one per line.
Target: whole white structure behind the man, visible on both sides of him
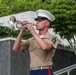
(28, 16)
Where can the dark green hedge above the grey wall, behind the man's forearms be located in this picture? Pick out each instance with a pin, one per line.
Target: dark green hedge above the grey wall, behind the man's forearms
(7, 32)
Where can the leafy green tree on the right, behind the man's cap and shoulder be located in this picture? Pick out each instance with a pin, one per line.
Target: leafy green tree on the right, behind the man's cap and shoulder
(65, 23)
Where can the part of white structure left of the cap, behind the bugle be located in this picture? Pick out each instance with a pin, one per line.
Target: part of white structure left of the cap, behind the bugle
(28, 16)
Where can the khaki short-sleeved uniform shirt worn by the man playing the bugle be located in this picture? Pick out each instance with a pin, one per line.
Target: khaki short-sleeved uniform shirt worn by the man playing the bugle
(38, 56)
